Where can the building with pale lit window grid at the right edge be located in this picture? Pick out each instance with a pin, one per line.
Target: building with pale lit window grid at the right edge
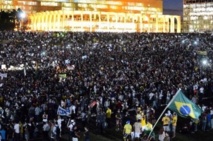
(197, 15)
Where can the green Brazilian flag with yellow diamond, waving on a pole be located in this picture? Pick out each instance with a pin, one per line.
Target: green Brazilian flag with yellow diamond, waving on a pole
(184, 107)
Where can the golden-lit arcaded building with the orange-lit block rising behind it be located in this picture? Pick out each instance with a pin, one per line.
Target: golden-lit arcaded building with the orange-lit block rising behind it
(100, 16)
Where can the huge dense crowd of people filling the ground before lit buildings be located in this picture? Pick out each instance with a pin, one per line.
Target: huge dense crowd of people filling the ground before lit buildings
(118, 78)
